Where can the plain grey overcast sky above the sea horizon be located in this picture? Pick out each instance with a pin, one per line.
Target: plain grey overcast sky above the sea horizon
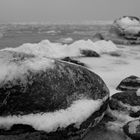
(66, 10)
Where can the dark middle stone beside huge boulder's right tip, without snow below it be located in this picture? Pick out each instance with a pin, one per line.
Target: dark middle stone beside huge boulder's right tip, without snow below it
(119, 100)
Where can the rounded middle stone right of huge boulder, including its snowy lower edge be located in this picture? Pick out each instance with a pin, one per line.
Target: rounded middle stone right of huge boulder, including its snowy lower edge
(125, 104)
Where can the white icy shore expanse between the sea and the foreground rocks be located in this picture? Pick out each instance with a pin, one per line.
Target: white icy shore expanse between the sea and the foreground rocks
(116, 62)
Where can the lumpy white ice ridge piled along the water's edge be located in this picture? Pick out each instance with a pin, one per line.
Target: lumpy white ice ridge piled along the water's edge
(56, 50)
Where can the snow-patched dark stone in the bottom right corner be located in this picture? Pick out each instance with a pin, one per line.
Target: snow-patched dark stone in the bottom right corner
(132, 129)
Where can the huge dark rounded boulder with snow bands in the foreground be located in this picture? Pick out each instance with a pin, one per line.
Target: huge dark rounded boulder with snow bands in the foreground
(43, 98)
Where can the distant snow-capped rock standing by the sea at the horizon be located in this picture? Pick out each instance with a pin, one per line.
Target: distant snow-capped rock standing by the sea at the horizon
(127, 29)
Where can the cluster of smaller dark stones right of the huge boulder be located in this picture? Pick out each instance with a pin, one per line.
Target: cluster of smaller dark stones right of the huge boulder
(125, 106)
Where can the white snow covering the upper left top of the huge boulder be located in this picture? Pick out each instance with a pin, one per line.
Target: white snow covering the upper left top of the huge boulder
(14, 67)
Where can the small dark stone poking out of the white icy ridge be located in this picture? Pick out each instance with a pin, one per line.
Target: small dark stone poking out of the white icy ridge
(89, 53)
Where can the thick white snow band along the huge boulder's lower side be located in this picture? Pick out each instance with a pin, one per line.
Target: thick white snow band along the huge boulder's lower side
(78, 112)
